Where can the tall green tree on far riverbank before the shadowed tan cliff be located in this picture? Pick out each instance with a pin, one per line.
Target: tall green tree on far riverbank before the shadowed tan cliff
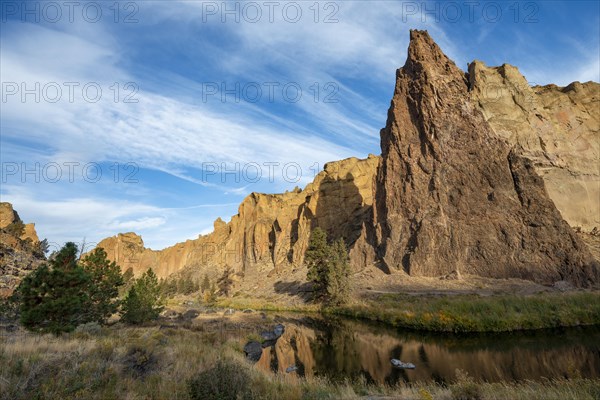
(328, 268)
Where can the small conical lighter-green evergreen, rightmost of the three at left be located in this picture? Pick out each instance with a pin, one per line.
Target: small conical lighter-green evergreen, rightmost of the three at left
(143, 302)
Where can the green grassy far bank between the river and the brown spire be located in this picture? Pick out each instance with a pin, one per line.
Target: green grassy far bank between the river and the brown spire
(459, 313)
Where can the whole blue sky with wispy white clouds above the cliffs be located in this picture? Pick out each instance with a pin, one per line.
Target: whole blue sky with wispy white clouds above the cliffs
(160, 116)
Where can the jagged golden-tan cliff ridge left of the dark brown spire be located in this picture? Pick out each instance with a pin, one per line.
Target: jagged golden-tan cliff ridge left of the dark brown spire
(270, 232)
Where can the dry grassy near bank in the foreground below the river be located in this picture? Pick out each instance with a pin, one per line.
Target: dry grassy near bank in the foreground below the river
(175, 363)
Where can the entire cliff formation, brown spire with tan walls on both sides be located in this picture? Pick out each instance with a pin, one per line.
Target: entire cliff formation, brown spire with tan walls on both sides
(475, 172)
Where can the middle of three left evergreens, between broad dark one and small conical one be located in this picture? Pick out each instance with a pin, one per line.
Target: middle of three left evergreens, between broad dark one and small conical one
(104, 289)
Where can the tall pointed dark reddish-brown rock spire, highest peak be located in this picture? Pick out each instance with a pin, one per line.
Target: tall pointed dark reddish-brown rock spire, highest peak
(453, 196)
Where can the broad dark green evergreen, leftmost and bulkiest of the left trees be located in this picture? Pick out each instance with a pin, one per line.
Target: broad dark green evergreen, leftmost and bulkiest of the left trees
(55, 297)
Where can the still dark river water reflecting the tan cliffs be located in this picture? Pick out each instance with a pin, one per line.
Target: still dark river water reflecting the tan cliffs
(342, 349)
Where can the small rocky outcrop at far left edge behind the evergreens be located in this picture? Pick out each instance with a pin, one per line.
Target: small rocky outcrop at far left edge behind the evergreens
(19, 251)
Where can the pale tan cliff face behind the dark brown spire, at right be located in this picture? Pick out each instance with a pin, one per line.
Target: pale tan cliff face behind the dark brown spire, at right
(557, 128)
